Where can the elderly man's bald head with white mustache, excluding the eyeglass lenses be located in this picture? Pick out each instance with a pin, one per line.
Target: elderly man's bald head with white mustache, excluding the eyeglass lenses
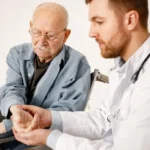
(46, 19)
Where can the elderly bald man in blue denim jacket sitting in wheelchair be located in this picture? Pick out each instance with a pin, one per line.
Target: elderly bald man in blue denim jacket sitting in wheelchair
(46, 73)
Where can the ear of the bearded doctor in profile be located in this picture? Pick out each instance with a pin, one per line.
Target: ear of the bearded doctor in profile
(131, 20)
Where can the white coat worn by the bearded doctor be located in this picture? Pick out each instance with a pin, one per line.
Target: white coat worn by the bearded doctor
(122, 123)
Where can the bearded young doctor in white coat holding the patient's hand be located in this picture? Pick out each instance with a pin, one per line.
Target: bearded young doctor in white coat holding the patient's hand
(123, 122)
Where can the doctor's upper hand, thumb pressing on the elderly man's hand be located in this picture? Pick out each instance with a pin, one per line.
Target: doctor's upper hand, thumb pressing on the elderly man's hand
(42, 117)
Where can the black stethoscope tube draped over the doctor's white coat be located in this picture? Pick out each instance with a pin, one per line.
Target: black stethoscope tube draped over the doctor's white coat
(136, 75)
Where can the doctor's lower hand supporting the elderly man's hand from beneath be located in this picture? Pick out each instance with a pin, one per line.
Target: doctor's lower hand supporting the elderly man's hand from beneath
(33, 138)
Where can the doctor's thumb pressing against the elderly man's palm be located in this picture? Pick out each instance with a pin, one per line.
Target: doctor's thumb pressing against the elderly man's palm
(34, 124)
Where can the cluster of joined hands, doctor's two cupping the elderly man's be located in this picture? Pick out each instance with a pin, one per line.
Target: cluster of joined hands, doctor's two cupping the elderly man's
(29, 123)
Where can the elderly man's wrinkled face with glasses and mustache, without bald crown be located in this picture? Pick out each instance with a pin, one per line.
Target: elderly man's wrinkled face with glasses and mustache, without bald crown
(48, 34)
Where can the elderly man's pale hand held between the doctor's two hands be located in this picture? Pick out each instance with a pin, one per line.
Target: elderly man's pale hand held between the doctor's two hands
(22, 120)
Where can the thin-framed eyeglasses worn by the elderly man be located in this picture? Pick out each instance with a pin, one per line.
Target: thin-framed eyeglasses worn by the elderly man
(36, 34)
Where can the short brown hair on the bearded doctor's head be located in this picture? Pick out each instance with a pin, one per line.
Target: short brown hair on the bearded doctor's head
(140, 6)
